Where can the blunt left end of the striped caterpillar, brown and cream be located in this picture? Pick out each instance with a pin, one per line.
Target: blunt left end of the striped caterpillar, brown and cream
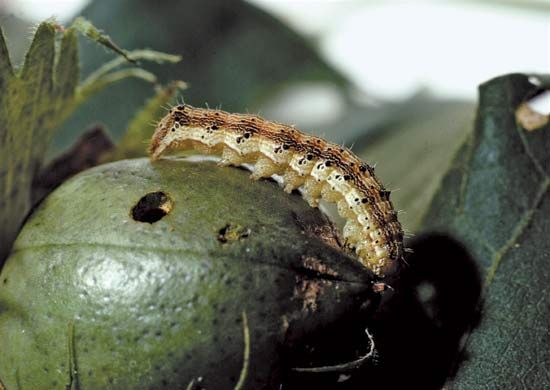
(169, 130)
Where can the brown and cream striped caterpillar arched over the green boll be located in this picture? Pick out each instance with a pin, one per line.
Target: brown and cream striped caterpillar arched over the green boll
(322, 169)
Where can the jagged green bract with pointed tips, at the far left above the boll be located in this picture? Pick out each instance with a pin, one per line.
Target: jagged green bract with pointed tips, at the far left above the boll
(34, 100)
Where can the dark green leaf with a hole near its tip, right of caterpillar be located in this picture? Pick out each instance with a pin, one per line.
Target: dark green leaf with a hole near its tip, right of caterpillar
(495, 200)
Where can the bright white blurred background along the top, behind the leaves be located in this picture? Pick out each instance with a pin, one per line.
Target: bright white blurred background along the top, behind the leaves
(393, 48)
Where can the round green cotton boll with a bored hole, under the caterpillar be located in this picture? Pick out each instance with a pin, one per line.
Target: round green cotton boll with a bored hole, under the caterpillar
(139, 275)
